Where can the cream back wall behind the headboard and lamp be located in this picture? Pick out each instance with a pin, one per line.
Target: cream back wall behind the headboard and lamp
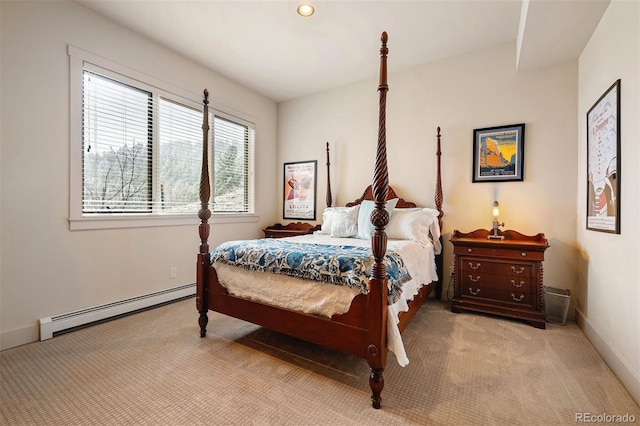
(460, 94)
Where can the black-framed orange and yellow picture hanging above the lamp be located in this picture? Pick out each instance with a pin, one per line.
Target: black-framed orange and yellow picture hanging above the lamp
(498, 153)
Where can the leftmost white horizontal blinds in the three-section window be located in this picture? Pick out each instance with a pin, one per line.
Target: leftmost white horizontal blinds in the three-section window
(117, 133)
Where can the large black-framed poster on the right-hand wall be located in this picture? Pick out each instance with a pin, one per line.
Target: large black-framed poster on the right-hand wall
(603, 162)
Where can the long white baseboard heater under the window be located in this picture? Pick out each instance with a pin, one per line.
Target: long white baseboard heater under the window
(51, 326)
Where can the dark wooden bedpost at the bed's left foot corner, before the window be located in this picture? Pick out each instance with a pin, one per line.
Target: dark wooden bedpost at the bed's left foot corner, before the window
(202, 300)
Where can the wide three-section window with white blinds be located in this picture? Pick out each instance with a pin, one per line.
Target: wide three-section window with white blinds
(141, 152)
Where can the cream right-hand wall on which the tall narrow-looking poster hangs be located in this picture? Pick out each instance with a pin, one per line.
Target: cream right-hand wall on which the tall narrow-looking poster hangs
(608, 290)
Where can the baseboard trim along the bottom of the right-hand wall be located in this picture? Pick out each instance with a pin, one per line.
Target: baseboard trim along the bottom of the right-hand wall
(618, 365)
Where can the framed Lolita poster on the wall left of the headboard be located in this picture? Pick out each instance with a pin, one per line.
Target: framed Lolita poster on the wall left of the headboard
(300, 190)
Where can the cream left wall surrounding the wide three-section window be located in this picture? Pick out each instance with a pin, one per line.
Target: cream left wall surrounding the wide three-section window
(46, 269)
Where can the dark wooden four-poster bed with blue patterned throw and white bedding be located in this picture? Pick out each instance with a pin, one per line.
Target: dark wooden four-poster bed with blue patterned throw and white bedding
(363, 318)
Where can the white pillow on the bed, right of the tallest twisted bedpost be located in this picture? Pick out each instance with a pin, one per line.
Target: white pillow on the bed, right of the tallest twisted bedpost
(415, 225)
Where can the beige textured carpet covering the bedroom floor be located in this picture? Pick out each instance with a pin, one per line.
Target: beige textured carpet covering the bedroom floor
(152, 368)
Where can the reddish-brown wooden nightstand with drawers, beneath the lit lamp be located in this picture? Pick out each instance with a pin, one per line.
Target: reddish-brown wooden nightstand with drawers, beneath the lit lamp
(501, 277)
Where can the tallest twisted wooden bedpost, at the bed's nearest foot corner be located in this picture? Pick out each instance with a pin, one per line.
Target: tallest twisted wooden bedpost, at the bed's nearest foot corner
(377, 341)
